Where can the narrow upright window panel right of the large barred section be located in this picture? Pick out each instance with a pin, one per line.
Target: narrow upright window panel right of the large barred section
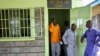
(39, 15)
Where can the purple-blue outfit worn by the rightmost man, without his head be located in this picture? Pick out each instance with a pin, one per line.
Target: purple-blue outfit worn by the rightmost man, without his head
(91, 36)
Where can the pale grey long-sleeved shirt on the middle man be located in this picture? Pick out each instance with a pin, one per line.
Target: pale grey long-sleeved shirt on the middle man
(69, 37)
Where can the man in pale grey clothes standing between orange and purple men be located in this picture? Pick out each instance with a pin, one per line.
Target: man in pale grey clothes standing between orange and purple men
(69, 39)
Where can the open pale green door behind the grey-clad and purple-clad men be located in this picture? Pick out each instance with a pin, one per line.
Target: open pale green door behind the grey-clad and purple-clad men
(76, 13)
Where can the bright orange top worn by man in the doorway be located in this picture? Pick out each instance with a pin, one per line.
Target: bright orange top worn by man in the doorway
(55, 33)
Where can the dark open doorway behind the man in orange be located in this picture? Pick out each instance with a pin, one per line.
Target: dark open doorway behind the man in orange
(62, 17)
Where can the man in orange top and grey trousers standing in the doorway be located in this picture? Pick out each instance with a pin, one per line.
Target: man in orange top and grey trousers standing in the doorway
(55, 38)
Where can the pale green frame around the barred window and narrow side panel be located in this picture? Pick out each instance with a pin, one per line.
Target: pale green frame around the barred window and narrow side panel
(32, 26)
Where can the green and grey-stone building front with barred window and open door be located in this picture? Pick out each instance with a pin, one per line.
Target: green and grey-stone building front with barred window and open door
(24, 24)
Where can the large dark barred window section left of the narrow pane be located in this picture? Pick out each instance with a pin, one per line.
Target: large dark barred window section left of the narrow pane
(15, 23)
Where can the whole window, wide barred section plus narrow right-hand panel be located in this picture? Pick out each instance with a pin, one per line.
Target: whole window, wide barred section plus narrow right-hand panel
(21, 23)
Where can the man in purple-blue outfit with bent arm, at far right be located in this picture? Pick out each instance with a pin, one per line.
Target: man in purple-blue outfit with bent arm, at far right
(91, 35)
